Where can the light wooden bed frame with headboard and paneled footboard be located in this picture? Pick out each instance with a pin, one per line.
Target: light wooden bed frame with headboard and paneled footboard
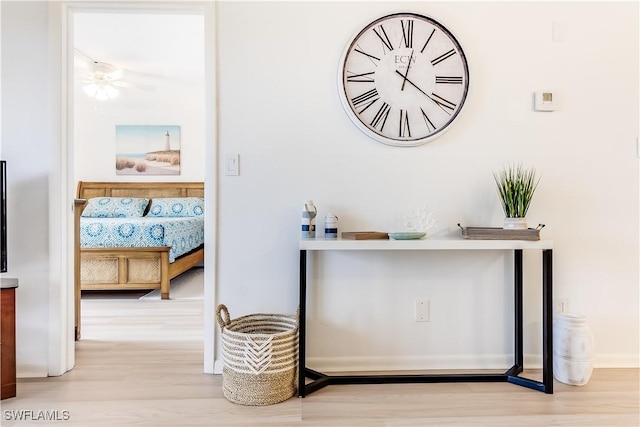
(129, 268)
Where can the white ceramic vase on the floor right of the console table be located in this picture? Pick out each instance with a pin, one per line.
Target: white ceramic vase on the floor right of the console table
(573, 349)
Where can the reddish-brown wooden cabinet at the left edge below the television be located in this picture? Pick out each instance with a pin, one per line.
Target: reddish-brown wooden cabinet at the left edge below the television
(8, 337)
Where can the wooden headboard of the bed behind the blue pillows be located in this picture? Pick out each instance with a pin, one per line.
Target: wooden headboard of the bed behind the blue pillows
(86, 190)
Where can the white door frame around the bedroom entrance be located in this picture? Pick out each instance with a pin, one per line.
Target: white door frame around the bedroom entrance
(62, 186)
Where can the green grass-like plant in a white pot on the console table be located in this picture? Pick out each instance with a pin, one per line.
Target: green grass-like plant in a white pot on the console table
(516, 186)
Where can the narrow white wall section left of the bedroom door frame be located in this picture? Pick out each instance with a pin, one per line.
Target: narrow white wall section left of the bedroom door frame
(26, 143)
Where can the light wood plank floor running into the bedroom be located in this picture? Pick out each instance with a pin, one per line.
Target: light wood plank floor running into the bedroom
(150, 374)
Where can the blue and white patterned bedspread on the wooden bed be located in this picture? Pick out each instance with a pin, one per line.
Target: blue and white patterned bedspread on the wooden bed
(183, 234)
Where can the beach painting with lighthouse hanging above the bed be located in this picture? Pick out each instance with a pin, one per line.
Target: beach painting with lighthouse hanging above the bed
(147, 150)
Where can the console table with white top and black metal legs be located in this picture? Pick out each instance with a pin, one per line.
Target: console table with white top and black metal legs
(320, 380)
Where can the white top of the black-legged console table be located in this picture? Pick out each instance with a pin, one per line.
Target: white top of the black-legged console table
(453, 243)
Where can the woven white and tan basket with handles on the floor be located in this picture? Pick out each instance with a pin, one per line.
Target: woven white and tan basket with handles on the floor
(260, 354)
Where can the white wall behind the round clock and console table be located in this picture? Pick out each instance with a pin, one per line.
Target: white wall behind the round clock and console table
(279, 109)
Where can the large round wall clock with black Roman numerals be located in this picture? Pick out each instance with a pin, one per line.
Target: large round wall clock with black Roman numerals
(403, 79)
